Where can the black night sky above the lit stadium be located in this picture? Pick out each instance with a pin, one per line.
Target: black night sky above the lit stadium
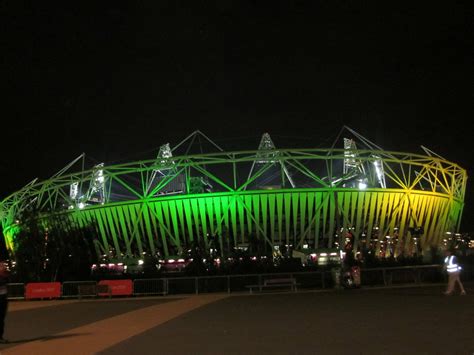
(115, 80)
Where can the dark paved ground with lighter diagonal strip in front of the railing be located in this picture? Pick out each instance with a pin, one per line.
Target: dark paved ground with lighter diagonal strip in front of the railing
(412, 320)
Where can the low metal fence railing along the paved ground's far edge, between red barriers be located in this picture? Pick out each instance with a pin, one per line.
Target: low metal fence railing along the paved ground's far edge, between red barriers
(309, 280)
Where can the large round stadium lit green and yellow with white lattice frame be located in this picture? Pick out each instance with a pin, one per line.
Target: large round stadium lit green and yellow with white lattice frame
(299, 198)
